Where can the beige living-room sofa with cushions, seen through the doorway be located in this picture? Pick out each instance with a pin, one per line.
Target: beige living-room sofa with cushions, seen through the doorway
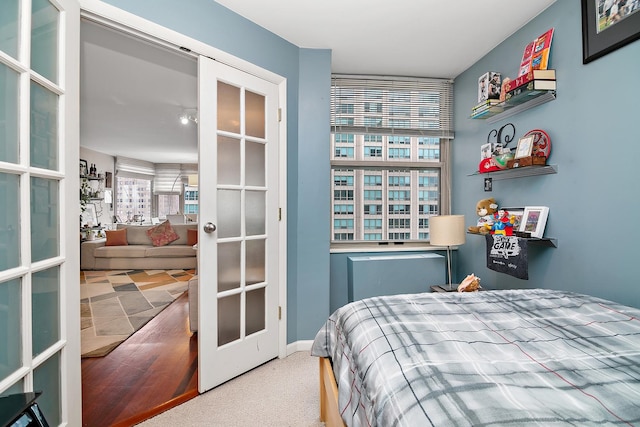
(139, 251)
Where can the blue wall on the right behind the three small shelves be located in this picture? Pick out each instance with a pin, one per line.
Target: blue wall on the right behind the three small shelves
(593, 200)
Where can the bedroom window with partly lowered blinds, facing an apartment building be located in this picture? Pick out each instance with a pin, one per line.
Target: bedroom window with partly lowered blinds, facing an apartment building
(398, 130)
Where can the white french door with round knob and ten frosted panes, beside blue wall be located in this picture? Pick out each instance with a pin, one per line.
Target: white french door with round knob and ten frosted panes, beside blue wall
(238, 237)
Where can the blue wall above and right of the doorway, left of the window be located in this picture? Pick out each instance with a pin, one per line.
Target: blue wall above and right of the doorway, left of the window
(308, 78)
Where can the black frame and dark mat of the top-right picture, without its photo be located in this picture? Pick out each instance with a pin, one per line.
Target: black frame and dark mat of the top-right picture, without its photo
(598, 44)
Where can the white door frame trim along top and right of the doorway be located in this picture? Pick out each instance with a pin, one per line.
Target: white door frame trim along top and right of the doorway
(126, 22)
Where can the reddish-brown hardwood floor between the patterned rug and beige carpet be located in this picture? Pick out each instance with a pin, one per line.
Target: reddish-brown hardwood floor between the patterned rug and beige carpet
(152, 371)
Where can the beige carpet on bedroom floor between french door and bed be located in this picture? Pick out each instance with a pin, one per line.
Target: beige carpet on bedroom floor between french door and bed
(280, 393)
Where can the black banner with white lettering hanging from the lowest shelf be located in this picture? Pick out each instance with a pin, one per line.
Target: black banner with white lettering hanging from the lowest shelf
(508, 254)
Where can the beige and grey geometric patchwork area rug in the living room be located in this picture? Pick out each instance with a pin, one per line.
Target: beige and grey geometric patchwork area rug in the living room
(116, 303)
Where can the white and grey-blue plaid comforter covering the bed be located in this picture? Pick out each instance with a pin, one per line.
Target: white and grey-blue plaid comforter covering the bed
(494, 358)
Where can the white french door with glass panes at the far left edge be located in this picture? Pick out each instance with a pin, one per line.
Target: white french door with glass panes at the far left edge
(39, 209)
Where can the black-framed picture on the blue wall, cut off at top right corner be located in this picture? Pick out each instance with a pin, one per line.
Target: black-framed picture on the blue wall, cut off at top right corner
(605, 30)
